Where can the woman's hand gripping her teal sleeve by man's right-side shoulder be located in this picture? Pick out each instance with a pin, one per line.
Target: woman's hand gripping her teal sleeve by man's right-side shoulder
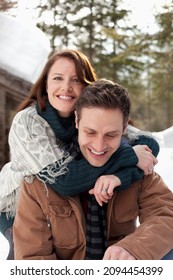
(146, 160)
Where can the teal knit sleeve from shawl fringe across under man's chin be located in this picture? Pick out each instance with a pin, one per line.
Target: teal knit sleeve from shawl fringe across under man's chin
(81, 176)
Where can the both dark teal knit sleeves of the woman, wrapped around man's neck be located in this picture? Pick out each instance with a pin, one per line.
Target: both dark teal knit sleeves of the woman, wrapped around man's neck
(122, 164)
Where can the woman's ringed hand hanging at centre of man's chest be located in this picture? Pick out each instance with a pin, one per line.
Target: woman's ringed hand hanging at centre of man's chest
(103, 188)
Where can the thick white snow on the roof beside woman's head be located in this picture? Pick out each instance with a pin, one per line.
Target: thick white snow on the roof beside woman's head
(24, 49)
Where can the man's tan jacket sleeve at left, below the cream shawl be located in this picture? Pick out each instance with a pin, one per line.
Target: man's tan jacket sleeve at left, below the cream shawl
(32, 237)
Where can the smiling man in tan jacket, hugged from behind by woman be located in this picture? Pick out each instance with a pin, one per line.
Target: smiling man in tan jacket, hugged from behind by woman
(54, 226)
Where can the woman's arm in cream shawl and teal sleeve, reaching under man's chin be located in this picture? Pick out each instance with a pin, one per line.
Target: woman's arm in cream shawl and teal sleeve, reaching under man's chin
(34, 151)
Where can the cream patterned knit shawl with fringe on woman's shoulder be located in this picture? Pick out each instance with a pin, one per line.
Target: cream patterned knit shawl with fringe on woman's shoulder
(33, 146)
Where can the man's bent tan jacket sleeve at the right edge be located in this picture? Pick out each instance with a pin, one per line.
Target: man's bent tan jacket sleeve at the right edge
(153, 238)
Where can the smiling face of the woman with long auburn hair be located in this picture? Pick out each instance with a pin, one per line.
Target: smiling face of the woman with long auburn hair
(63, 86)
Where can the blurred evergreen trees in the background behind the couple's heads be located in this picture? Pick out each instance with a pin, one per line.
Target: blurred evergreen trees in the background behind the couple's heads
(117, 51)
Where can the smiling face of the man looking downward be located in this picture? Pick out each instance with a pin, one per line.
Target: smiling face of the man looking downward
(99, 134)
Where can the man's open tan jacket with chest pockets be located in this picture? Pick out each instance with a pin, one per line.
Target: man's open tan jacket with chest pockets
(48, 226)
